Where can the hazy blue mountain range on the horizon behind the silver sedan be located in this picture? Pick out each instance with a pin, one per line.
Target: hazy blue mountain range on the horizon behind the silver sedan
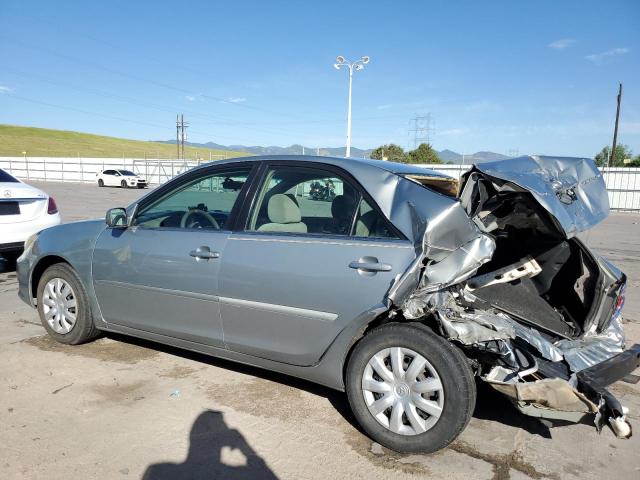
(445, 155)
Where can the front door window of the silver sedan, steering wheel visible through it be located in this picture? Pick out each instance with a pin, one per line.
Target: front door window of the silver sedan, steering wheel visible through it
(204, 203)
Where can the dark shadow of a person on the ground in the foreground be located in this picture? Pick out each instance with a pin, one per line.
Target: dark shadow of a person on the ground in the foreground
(215, 452)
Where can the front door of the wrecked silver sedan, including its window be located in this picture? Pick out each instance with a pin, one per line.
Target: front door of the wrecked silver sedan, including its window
(160, 275)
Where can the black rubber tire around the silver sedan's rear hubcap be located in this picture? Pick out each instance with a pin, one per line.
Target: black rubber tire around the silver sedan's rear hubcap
(451, 366)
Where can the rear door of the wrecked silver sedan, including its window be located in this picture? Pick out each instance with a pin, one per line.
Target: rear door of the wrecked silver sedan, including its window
(301, 270)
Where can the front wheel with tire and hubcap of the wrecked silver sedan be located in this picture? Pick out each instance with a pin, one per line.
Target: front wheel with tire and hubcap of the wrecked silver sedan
(64, 307)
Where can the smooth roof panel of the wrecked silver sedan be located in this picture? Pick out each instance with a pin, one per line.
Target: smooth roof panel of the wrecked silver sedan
(350, 164)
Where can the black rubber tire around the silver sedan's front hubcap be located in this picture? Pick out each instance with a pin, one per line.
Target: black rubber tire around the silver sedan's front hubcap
(84, 329)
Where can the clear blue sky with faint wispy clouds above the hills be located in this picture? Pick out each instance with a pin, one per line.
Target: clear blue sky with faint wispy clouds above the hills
(536, 77)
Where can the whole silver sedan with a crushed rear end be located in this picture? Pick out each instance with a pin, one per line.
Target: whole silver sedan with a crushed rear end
(424, 292)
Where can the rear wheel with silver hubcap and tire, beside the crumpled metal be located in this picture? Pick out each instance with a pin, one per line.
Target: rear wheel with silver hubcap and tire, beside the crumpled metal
(410, 390)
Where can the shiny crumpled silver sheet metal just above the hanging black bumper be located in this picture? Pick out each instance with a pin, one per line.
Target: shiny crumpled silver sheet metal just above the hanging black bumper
(593, 349)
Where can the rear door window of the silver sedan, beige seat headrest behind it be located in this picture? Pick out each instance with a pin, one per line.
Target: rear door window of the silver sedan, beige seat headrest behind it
(309, 200)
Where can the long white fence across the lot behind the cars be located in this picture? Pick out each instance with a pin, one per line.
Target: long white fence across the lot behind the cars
(623, 184)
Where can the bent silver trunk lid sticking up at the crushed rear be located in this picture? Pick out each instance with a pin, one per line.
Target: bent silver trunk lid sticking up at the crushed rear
(570, 189)
